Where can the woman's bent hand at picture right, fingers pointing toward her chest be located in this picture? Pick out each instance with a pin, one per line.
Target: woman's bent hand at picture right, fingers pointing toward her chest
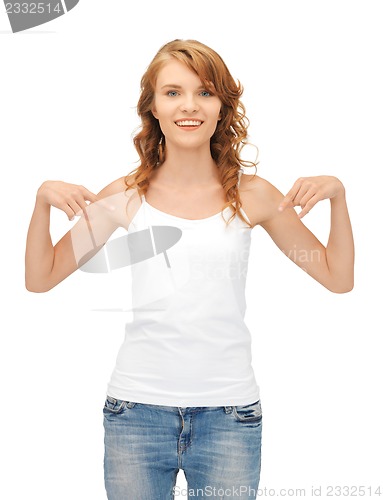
(307, 191)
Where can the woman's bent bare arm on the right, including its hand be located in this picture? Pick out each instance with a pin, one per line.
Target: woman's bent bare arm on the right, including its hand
(333, 265)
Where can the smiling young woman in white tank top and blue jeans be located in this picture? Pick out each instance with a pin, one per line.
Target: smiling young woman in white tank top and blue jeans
(183, 393)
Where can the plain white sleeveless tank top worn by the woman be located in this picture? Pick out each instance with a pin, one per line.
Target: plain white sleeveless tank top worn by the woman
(188, 344)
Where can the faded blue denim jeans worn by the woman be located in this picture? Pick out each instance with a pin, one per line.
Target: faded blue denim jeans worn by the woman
(218, 448)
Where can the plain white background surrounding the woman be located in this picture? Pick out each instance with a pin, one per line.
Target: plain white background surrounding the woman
(68, 90)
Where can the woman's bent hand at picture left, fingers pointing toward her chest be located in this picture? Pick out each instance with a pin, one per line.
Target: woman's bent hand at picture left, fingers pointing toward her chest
(70, 198)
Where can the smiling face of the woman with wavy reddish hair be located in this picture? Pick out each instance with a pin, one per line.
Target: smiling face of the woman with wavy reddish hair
(186, 110)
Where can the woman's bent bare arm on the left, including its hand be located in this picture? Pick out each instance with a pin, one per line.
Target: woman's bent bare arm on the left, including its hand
(47, 265)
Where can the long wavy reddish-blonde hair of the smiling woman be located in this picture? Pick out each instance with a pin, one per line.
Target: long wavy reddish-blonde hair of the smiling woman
(229, 137)
